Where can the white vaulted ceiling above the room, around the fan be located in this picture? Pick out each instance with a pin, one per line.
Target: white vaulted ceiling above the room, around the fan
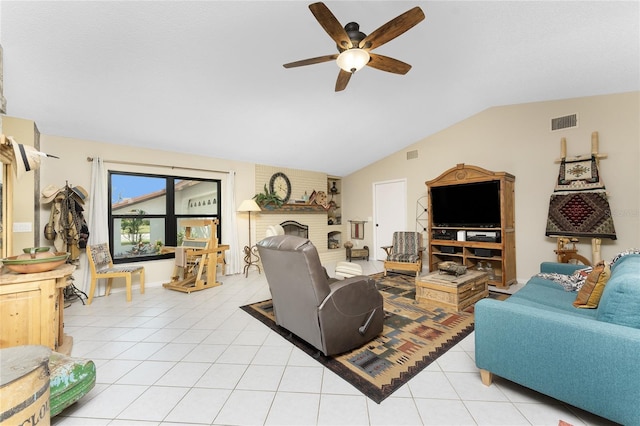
(206, 77)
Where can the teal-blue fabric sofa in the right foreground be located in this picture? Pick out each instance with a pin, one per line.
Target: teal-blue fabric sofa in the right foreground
(588, 358)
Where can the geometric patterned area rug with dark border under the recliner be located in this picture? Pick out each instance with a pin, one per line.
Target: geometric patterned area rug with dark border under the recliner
(414, 335)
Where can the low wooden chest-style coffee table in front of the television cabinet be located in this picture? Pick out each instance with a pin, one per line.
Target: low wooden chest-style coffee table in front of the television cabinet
(458, 292)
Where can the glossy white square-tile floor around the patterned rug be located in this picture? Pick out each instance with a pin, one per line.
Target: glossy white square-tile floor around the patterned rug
(170, 358)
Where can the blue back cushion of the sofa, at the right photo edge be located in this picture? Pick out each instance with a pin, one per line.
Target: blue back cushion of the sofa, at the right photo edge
(620, 302)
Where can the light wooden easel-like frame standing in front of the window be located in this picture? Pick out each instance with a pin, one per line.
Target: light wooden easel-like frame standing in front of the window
(195, 257)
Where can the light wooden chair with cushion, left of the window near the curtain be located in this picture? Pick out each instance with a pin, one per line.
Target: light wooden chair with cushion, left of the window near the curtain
(101, 266)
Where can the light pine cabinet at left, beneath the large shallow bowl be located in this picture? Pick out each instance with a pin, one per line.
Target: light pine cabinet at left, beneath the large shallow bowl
(32, 309)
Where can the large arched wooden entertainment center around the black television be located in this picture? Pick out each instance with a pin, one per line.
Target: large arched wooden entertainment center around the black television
(452, 243)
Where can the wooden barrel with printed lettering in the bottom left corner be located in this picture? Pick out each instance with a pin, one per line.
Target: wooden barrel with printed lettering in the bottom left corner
(24, 385)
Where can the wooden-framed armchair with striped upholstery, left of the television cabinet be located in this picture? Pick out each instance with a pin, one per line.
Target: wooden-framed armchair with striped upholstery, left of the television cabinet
(406, 252)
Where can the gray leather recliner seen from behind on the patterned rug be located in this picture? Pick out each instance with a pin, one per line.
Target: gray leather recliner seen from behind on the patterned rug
(333, 316)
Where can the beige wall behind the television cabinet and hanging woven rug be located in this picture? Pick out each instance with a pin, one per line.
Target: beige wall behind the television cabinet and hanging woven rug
(517, 139)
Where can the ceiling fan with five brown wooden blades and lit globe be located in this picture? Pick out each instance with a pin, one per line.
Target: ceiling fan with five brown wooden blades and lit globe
(355, 47)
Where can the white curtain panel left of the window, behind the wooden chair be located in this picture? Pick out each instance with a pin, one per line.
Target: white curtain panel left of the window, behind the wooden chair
(98, 219)
